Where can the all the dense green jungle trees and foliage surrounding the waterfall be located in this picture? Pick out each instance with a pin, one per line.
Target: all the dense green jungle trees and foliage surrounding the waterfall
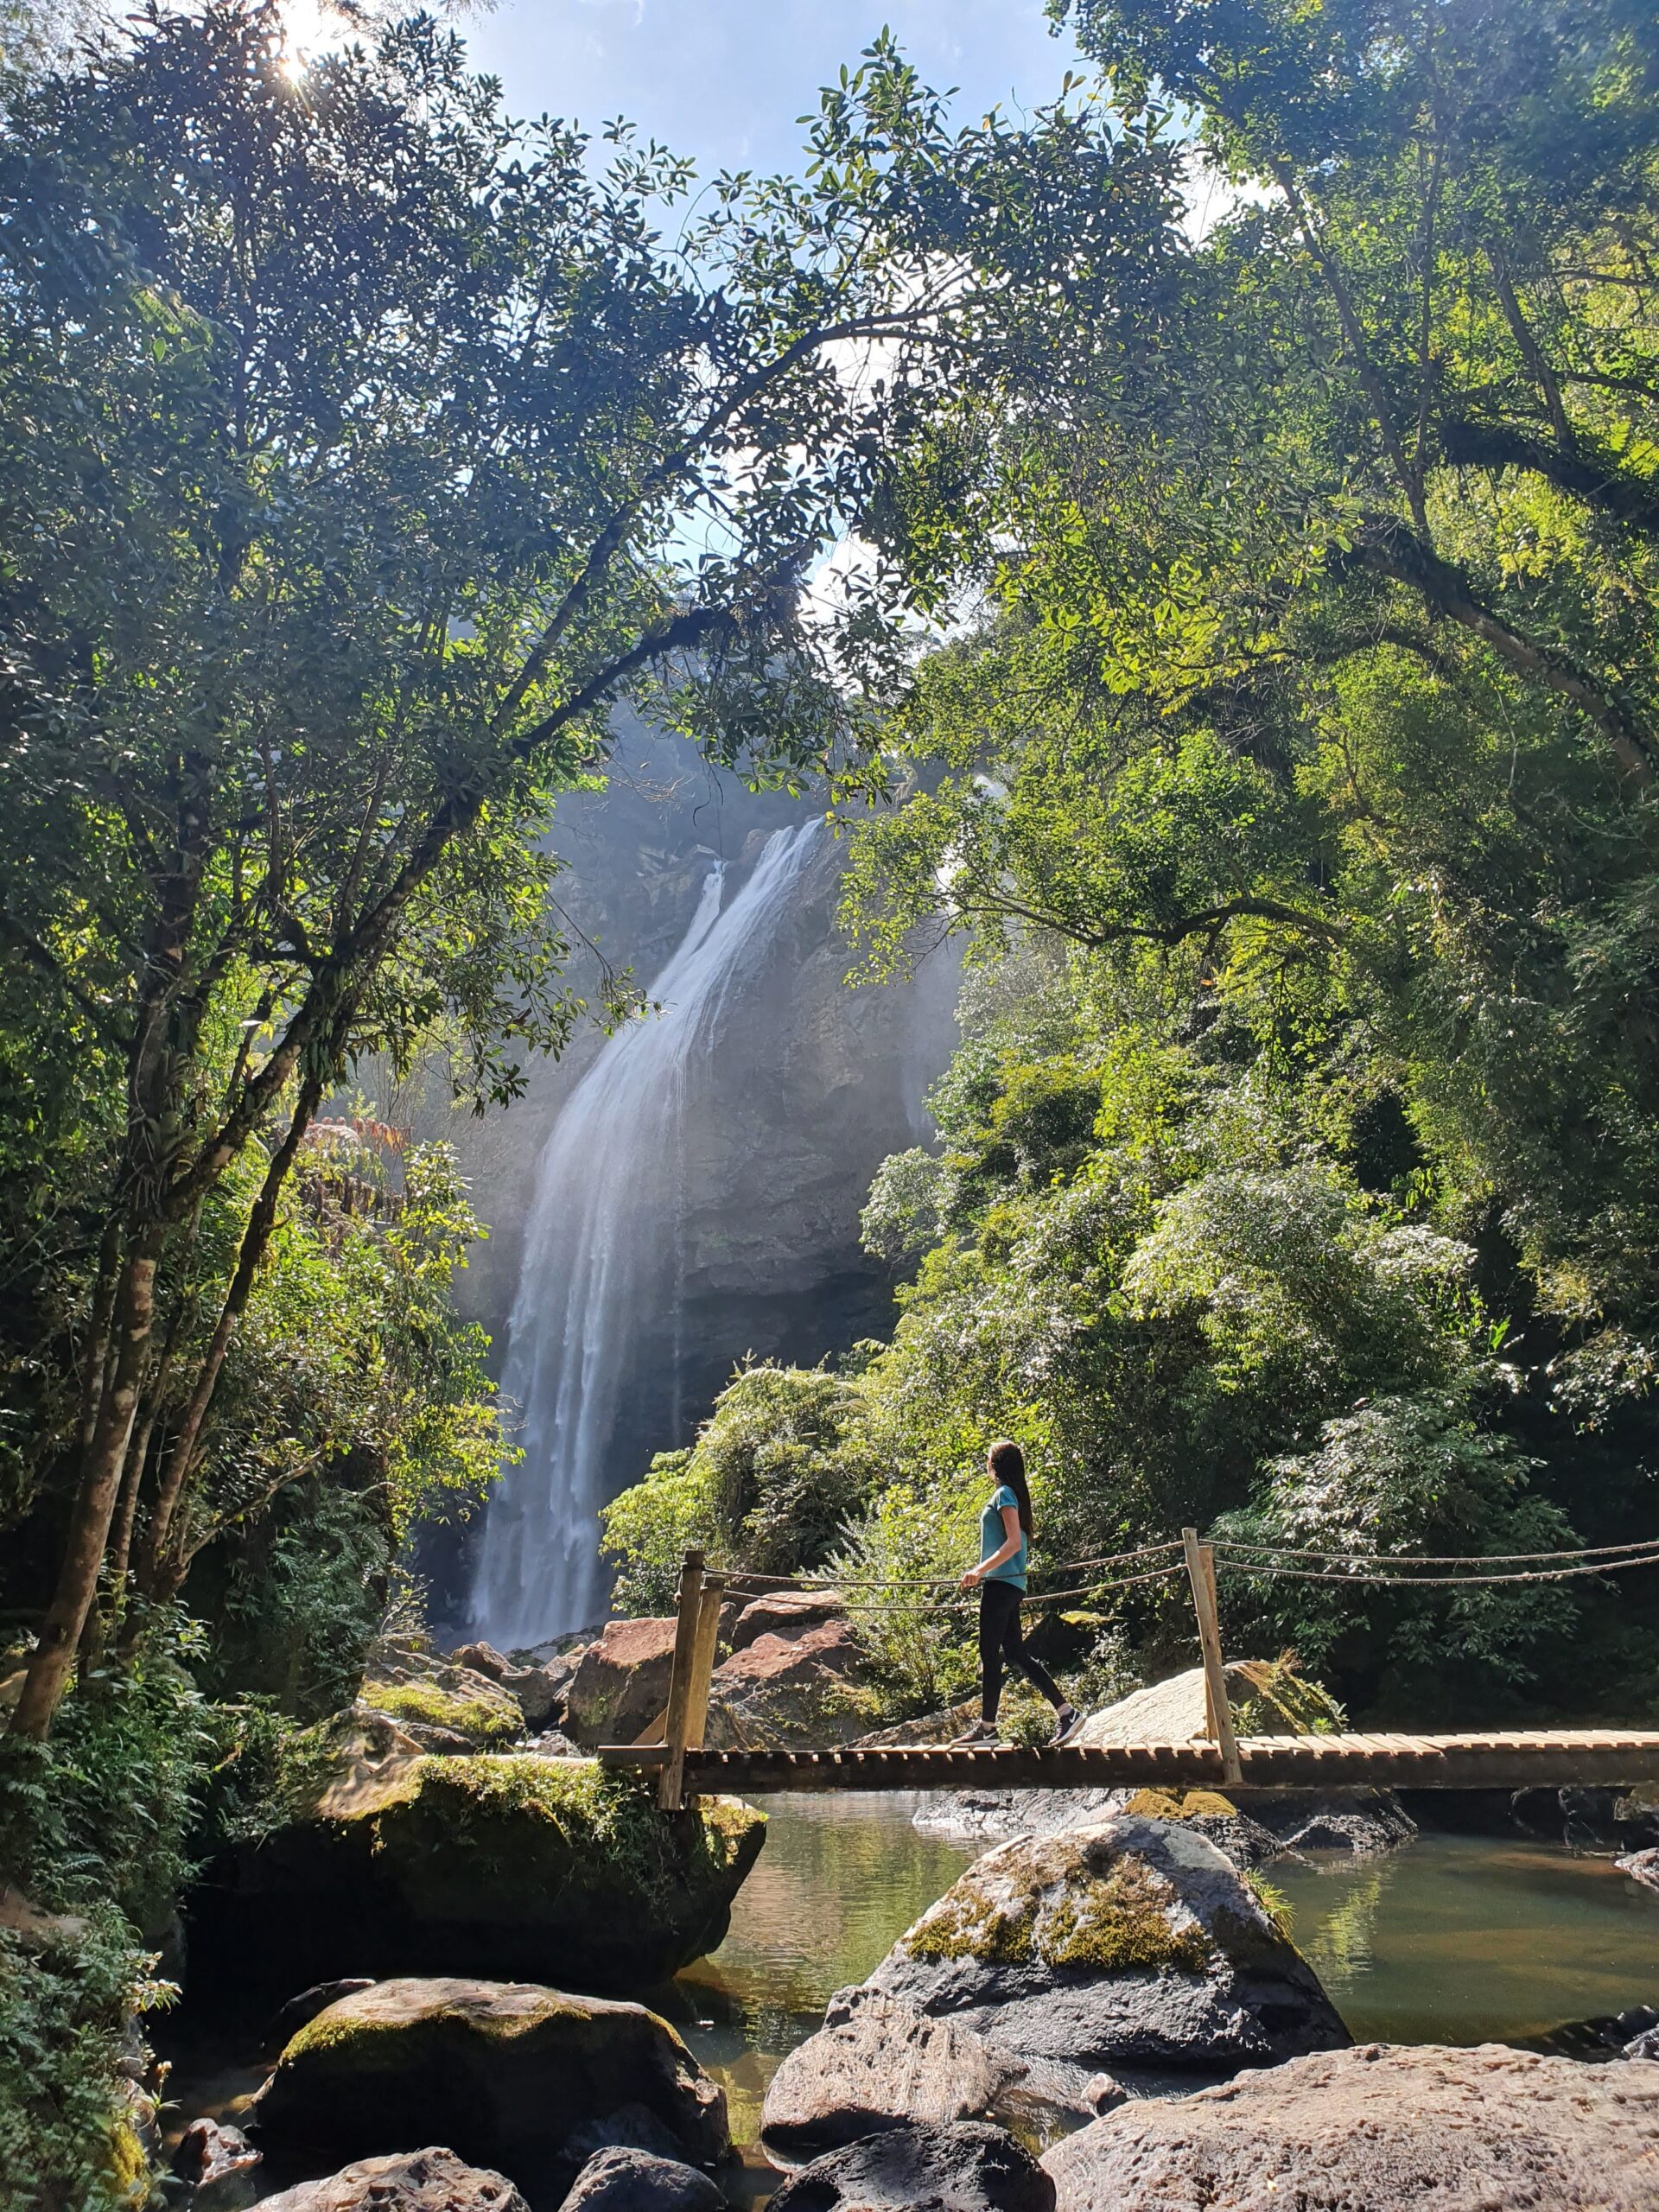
(1264, 441)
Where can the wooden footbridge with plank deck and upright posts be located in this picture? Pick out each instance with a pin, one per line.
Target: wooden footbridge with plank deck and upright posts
(687, 1768)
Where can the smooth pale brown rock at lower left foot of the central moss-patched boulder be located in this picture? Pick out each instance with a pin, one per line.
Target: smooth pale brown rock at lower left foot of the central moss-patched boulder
(877, 2063)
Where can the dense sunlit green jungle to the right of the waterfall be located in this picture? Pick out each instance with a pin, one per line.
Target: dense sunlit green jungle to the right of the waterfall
(1293, 791)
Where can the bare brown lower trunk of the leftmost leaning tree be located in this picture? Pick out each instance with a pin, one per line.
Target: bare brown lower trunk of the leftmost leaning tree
(96, 1496)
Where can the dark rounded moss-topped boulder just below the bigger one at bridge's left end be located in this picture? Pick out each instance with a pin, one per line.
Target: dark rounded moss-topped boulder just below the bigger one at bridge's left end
(505, 2072)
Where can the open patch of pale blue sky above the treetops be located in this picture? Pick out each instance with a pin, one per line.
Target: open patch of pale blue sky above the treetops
(724, 81)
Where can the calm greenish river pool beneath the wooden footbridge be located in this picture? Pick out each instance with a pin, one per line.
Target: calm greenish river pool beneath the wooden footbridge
(1450, 1939)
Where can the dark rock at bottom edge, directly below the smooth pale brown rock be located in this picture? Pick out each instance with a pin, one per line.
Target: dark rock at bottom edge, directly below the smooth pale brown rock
(968, 2167)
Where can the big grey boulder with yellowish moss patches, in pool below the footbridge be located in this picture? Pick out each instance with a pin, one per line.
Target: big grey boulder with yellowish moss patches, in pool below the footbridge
(1125, 1945)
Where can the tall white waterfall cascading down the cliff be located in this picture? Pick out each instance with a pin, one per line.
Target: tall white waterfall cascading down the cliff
(603, 1260)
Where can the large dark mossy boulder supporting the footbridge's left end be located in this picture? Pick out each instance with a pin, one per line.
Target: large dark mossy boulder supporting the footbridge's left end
(483, 1866)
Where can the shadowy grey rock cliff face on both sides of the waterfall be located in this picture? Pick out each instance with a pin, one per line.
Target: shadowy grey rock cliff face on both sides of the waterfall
(789, 1107)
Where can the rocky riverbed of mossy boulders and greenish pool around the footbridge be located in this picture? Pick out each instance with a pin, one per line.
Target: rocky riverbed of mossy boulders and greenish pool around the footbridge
(901, 2016)
